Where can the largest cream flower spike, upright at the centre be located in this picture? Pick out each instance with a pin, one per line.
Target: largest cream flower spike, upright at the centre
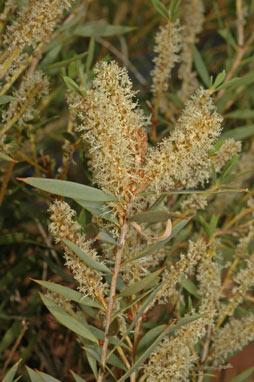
(113, 126)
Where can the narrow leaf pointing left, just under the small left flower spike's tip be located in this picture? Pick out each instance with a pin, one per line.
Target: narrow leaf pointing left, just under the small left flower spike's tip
(69, 293)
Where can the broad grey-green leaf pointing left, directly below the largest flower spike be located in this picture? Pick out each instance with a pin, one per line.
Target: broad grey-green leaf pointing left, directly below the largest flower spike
(69, 189)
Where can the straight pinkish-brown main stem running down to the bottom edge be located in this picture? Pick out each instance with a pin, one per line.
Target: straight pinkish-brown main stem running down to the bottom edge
(119, 252)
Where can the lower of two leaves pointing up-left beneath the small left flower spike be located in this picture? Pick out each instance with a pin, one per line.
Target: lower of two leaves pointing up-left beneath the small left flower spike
(67, 320)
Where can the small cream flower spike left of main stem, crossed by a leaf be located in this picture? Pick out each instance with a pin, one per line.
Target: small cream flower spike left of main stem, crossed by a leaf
(62, 227)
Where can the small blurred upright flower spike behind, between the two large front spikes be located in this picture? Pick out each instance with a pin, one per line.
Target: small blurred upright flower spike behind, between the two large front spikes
(167, 46)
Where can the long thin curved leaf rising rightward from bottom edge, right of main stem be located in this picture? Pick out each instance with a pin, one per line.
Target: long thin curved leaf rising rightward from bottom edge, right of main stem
(150, 349)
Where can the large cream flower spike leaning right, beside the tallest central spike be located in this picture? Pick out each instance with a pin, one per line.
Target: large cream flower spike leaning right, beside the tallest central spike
(182, 160)
